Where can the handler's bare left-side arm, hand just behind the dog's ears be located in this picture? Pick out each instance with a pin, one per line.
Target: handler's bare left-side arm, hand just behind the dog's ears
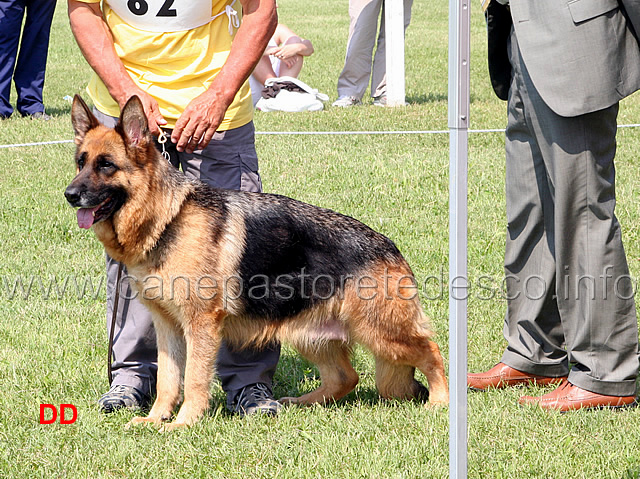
(96, 44)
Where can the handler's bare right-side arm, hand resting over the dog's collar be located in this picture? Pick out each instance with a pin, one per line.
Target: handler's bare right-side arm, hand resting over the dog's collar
(197, 124)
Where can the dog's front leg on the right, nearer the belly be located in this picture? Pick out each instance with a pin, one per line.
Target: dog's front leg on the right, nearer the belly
(202, 336)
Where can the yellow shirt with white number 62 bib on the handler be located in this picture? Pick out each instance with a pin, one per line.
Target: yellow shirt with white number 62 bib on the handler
(171, 55)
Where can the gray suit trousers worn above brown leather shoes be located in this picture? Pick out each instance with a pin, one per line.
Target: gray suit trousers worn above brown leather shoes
(570, 297)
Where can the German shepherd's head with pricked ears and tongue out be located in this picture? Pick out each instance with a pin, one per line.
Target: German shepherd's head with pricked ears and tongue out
(105, 158)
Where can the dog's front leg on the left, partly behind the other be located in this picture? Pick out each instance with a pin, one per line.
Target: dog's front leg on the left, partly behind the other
(171, 359)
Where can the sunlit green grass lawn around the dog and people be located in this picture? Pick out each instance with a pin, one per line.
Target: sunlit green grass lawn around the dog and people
(53, 340)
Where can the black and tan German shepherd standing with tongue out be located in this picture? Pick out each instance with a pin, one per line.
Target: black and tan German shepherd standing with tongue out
(252, 268)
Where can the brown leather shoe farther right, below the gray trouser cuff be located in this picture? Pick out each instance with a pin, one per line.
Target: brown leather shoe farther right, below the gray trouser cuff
(568, 397)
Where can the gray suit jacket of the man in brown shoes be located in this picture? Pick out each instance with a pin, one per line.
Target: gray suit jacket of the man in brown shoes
(582, 55)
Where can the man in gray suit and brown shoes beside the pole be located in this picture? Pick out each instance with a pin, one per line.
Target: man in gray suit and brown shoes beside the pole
(563, 66)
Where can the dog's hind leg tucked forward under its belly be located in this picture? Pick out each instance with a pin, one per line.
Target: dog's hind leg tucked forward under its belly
(337, 376)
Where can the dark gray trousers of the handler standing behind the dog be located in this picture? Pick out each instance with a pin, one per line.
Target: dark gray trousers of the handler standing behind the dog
(229, 161)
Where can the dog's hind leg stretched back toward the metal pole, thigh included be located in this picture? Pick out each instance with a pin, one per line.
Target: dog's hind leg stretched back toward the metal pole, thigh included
(390, 323)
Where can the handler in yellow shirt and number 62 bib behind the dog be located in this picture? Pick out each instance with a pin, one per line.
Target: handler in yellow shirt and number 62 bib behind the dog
(177, 56)
